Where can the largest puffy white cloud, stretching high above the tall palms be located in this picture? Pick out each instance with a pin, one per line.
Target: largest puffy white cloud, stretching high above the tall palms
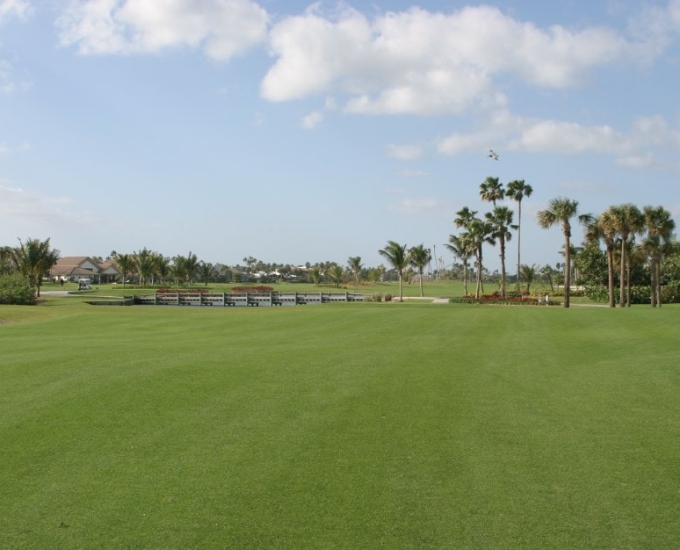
(428, 63)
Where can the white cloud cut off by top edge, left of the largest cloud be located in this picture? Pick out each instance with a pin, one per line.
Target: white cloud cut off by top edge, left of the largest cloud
(221, 28)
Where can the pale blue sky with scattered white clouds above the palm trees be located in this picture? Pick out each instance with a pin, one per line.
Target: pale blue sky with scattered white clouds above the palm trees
(303, 132)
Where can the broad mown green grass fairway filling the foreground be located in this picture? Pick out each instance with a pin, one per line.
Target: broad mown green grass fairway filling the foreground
(339, 426)
